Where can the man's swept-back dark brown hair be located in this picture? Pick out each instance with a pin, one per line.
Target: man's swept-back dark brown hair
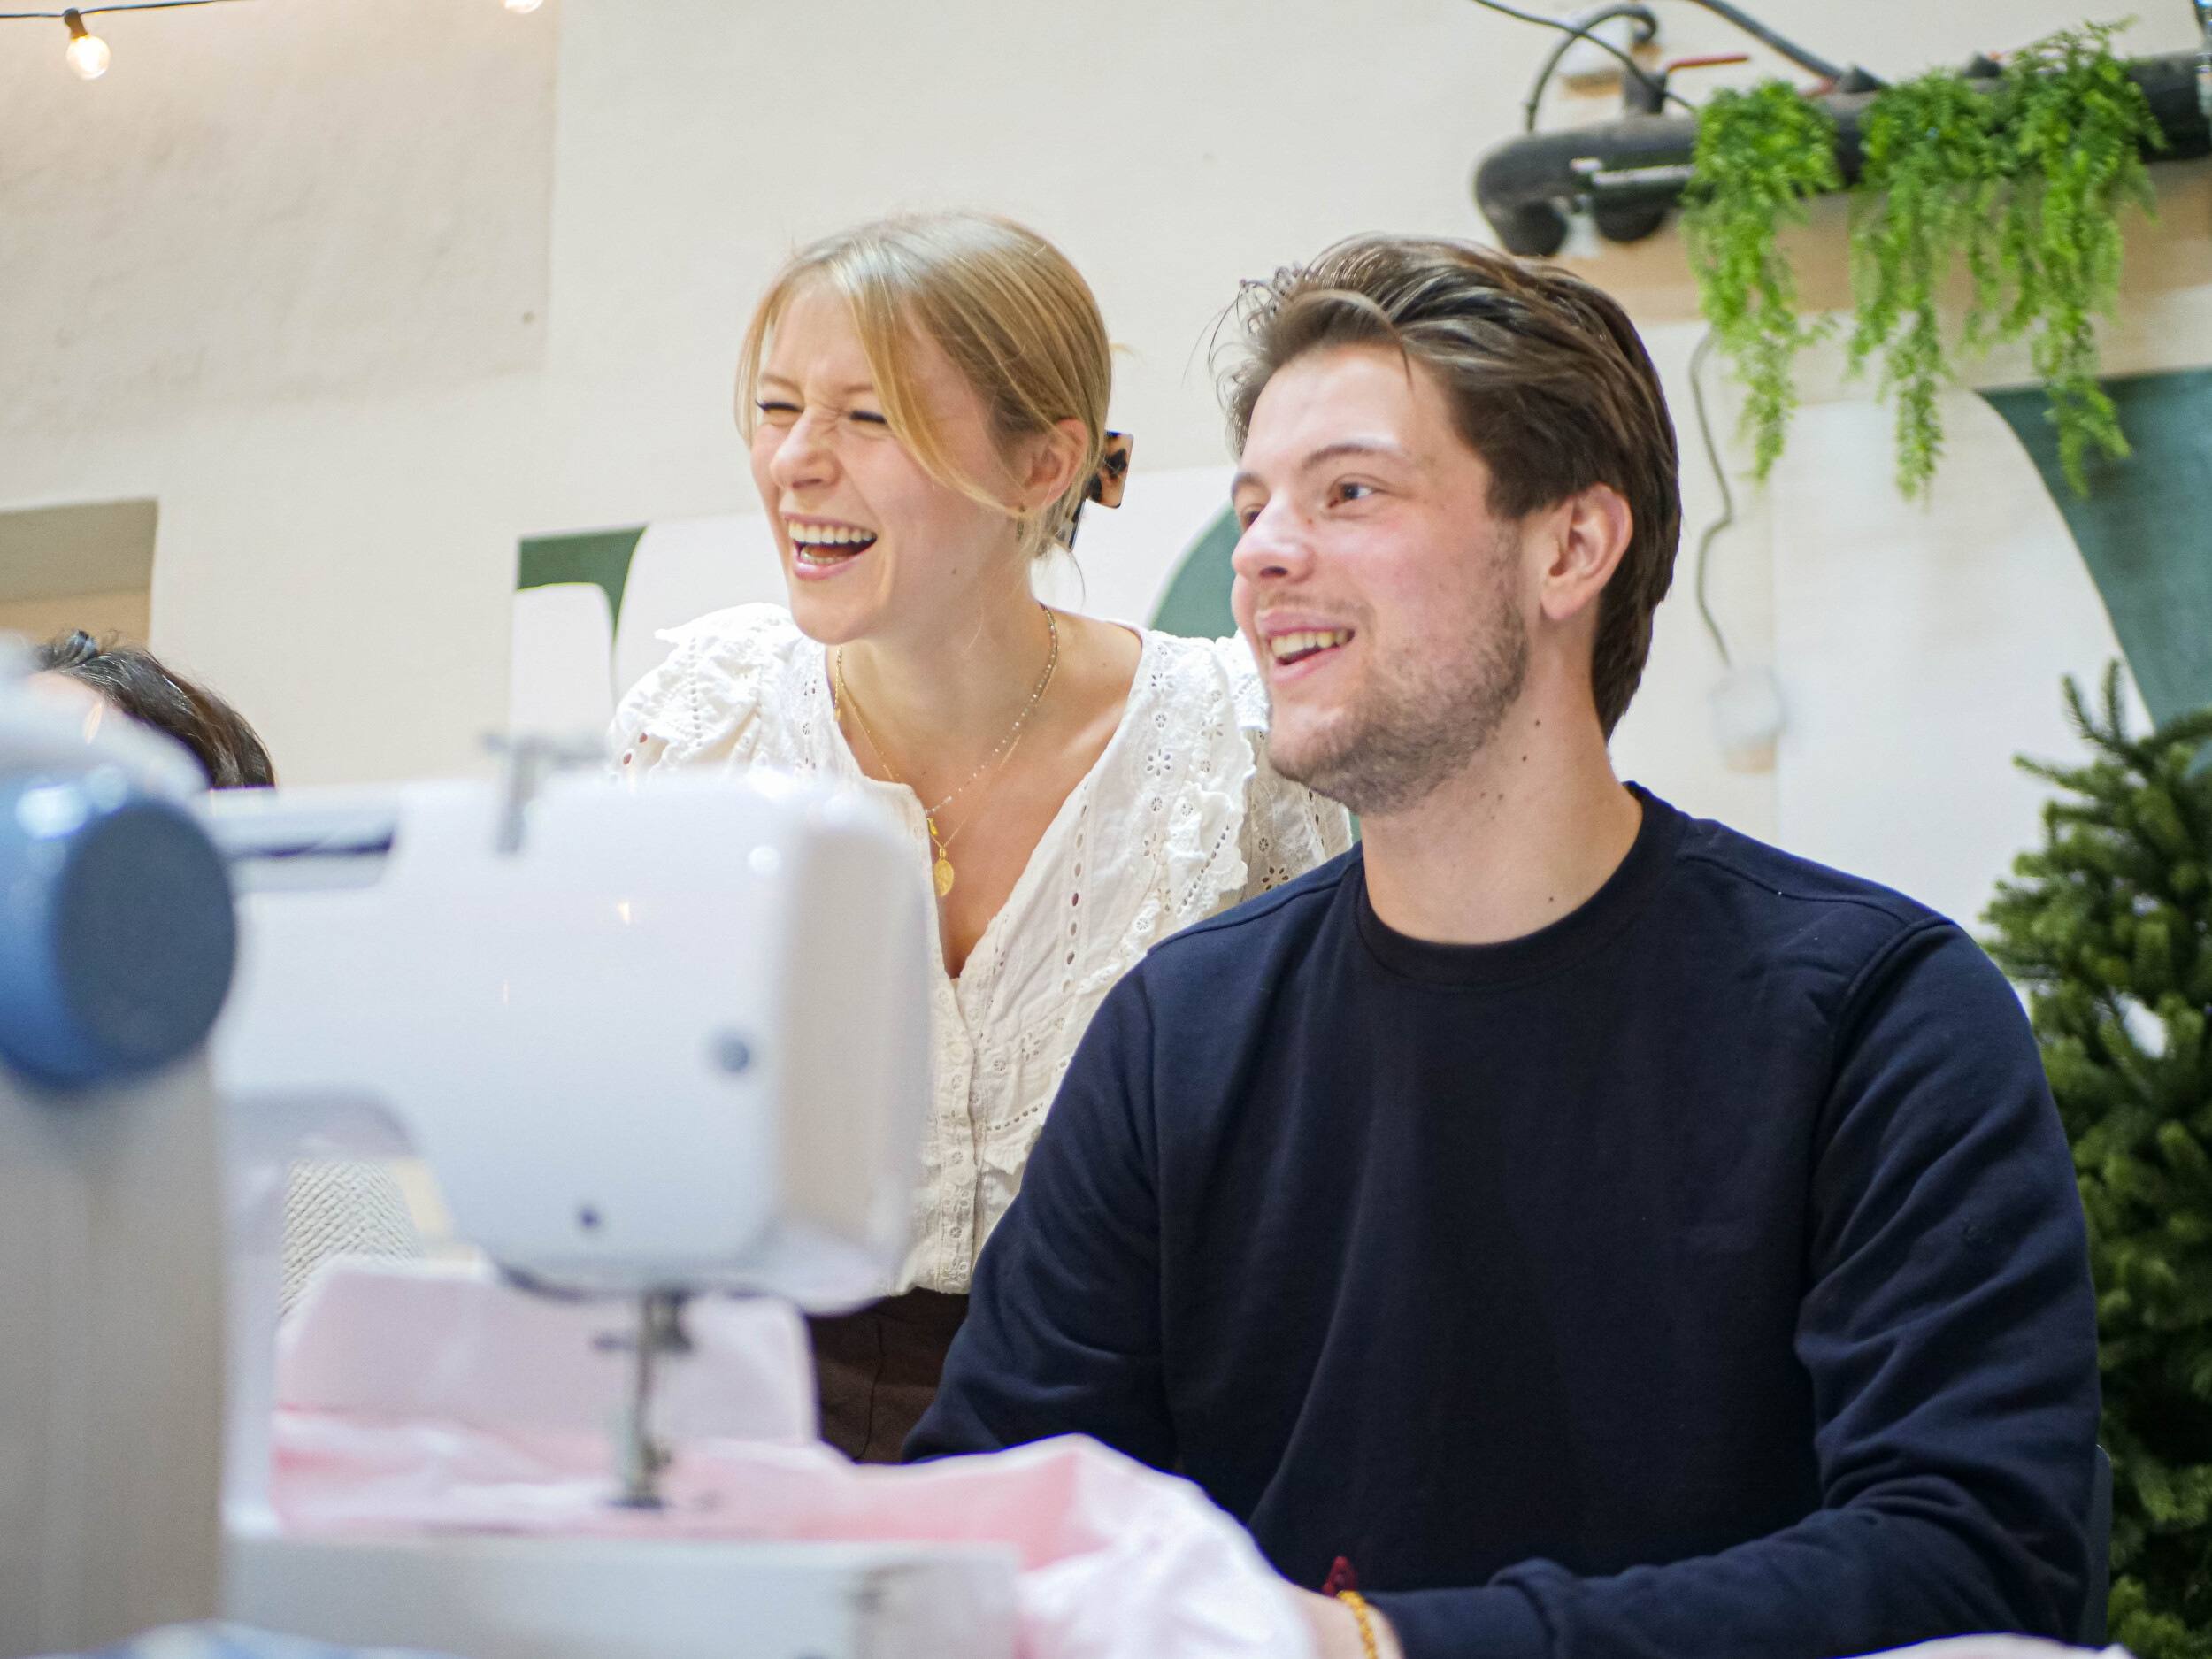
(1547, 382)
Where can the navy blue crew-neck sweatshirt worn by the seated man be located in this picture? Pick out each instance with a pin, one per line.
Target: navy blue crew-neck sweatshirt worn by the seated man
(1695, 1277)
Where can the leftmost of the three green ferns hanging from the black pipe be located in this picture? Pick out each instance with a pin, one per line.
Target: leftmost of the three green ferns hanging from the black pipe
(1757, 158)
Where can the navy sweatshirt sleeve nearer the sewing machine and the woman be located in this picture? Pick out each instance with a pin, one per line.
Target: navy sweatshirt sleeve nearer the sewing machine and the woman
(1063, 1328)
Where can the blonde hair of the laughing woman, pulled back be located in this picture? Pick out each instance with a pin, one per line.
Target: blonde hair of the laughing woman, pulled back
(999, 300)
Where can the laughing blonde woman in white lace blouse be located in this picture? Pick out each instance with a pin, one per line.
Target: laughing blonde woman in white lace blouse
(926, 404)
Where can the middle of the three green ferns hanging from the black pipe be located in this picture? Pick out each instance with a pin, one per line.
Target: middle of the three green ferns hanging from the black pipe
(1928, 198)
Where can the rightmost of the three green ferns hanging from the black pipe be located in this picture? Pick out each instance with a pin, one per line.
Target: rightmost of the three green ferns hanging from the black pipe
(2076, 132)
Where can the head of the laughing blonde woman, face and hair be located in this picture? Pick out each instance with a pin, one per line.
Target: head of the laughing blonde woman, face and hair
(926, 404)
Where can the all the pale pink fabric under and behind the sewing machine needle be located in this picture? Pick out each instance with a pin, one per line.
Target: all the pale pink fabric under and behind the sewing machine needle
(430, 1401)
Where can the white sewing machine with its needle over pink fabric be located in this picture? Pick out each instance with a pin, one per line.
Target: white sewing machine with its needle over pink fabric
(656, 1047)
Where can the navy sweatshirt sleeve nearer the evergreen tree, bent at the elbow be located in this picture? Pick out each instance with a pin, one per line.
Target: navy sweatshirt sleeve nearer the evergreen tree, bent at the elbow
(1950, 1335)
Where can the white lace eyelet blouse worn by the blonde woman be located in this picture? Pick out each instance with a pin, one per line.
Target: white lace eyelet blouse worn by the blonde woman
(1178, 820)
